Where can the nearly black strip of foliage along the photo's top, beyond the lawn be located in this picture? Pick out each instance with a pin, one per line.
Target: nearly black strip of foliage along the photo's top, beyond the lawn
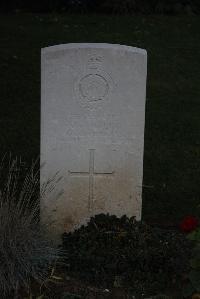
(104, 6)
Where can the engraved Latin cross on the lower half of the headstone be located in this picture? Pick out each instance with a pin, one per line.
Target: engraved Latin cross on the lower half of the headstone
(91, 174)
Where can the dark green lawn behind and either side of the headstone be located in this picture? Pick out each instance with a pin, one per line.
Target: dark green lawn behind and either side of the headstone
(172, 143)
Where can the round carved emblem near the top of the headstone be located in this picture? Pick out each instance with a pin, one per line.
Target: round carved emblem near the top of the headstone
(93, 87)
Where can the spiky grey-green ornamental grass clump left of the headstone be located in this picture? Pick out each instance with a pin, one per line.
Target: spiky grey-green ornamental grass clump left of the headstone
(25, 251)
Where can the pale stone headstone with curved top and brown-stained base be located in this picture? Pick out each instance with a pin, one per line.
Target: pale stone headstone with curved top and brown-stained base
(92, 131)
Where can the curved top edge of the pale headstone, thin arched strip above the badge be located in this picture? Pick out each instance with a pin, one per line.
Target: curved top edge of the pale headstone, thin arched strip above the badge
(93, 46)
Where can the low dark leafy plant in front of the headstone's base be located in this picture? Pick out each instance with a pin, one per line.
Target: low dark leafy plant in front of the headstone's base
(122, 252)
